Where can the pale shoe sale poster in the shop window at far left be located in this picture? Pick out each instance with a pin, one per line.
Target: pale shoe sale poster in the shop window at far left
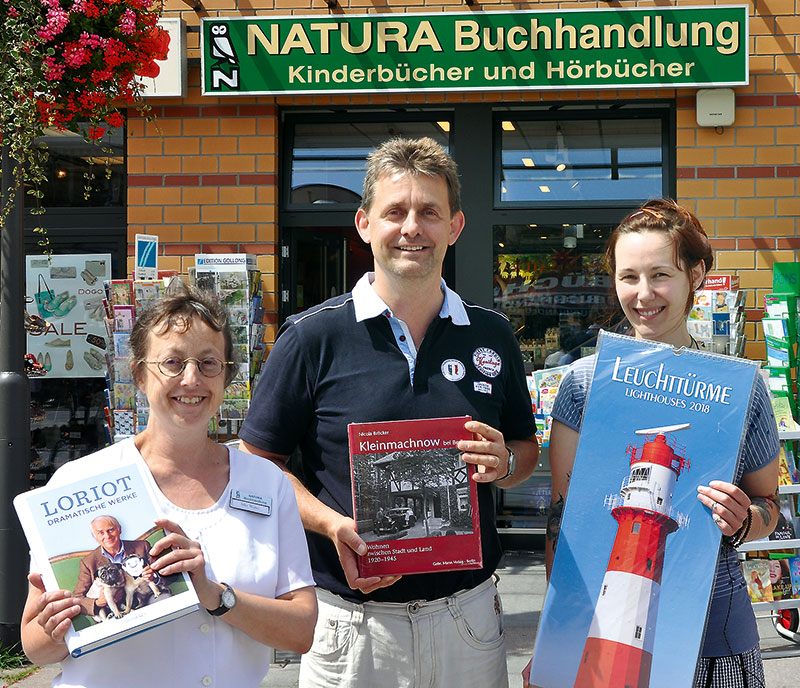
(67, 291)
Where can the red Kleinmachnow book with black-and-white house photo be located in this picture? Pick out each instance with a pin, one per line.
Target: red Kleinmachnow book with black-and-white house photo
(414, 501)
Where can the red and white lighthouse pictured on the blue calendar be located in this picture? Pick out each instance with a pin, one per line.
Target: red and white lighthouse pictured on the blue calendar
(619, 649)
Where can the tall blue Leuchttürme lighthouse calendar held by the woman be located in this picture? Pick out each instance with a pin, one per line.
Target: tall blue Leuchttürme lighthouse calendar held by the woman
(637, 551)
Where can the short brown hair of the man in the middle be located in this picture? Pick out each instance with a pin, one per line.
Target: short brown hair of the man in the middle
(422, 156)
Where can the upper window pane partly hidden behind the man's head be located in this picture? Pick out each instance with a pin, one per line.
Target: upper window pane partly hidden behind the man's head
(329, 158)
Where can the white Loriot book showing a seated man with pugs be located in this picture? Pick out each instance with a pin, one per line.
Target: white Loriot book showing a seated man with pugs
(57, 521)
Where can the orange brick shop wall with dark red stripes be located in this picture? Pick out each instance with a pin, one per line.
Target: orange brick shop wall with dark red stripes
(208, 180)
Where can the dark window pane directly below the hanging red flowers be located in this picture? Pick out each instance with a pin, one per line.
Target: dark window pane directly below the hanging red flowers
(70, 157)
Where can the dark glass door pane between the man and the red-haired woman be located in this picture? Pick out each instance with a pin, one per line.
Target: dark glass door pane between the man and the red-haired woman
(551, 281)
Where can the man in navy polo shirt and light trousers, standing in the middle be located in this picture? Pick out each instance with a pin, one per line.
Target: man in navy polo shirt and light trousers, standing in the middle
(400, 346)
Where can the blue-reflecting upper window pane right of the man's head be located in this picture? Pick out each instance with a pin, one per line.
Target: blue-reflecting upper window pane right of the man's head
(580, 160)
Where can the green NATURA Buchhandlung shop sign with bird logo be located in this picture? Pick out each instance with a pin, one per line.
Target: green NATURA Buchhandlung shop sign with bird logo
(559, 49)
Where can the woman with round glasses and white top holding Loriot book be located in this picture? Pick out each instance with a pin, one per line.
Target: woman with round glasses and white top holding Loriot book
(247, 559)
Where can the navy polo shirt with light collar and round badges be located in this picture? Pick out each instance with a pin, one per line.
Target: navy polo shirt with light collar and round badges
(328, 369)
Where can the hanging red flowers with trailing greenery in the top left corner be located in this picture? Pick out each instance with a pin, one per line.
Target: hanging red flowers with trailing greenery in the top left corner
(66, 63)
